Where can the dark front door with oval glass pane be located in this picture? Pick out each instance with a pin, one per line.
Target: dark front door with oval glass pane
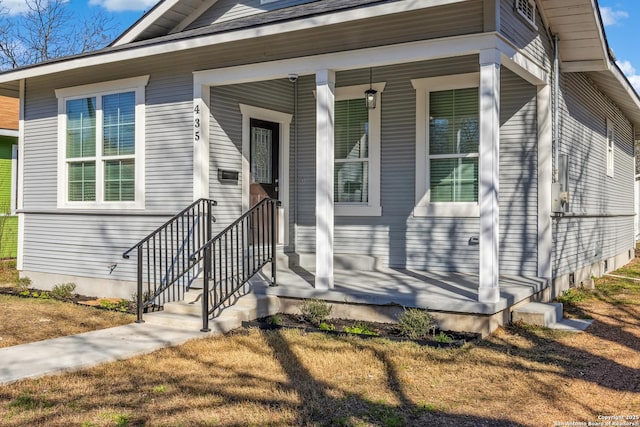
(264, 161)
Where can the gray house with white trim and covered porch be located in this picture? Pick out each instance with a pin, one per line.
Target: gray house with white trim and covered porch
(497, 164)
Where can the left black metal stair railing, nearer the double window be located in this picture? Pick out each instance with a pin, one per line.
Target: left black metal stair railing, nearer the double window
(165, 269)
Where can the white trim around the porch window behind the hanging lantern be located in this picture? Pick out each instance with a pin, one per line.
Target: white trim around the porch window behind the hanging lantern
(372, 207)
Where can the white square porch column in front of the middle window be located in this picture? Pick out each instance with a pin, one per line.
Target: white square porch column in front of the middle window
(325, 89)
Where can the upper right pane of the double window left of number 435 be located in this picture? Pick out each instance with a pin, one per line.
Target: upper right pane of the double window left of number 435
(119, 124)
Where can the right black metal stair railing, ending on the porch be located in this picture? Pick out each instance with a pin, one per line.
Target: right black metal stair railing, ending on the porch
(236, 254)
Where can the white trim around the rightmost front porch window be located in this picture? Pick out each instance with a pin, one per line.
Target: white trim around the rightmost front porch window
(423, 205)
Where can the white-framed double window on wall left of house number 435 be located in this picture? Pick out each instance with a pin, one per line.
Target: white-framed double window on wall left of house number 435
(101, 145)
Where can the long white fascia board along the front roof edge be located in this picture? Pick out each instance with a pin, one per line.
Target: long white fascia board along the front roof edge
(214, 39)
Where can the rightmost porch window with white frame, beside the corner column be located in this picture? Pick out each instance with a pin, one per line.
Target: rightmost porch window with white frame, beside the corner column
(448, 137)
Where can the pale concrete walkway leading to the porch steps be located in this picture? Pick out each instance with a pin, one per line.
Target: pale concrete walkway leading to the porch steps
(88, 349)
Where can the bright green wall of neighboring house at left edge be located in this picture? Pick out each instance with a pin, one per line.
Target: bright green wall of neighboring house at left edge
(8, 223)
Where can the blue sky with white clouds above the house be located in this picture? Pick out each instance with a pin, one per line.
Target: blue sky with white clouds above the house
(621, 20)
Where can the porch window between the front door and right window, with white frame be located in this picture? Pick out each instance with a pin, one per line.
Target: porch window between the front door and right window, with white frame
(357, 153)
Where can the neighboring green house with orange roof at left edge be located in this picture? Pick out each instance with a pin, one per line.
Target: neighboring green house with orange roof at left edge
(8, 176)
